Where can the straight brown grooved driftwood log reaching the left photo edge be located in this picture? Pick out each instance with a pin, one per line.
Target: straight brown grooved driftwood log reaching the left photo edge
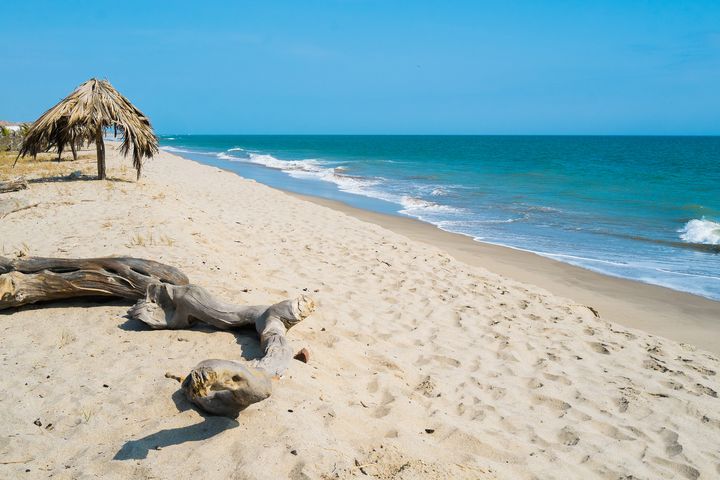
(29, 280)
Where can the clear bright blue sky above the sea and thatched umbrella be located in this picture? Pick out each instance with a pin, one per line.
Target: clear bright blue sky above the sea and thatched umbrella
(376, 67)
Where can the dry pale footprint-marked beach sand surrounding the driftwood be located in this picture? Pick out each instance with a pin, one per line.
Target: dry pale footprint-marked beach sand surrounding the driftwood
(422, 365)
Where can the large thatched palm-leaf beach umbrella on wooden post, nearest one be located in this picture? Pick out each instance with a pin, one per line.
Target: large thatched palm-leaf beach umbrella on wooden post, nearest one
(84, 115)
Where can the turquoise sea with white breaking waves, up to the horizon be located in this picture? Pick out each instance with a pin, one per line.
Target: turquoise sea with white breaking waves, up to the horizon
(644, 208)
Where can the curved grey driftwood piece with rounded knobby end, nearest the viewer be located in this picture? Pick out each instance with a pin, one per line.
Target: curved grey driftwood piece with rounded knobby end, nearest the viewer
(226, 387)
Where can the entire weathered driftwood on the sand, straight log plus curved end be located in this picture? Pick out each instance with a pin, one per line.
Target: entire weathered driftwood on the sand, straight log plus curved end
(167, 301)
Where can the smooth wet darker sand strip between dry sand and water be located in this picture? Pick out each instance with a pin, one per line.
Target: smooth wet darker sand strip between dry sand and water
(680, 316)
